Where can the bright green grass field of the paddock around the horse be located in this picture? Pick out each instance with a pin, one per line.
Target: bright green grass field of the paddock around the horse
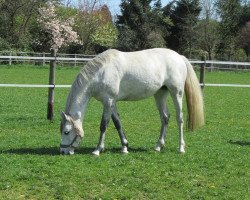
(215, 166)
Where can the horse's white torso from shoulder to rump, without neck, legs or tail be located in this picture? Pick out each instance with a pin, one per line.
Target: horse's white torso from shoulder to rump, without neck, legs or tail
(138, 75)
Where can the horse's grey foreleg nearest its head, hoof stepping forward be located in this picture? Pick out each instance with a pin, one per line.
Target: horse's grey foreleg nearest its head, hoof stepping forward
(104, 124)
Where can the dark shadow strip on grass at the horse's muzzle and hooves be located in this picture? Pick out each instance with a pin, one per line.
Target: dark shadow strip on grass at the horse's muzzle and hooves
(54, 151)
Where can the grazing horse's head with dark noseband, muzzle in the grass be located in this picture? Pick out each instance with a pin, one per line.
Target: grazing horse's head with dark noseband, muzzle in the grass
(71, 134)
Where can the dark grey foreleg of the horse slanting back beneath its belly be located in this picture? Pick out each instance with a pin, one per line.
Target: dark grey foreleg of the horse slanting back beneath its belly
(118, 126)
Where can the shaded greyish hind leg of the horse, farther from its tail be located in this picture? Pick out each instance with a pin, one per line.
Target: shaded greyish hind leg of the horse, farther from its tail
(160, 99)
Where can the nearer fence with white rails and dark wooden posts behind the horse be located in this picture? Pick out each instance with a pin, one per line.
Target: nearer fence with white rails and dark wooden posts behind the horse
(203, 64)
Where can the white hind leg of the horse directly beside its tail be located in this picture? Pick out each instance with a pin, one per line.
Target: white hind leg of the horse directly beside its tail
(177, 96)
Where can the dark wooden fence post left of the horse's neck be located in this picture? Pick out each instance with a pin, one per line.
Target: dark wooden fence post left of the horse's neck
(50, 111)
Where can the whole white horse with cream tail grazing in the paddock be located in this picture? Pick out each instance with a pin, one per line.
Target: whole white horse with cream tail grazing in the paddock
(118, 76)
